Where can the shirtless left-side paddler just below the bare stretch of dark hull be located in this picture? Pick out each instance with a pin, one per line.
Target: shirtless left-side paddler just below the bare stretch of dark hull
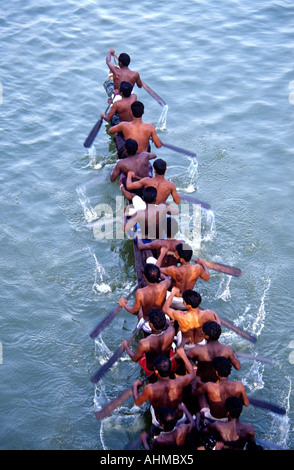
(151, 296)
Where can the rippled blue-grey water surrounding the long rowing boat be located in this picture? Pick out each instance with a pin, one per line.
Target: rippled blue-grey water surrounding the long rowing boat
(225, 72)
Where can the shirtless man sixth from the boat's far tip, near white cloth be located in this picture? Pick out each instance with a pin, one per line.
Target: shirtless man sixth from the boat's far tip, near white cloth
(152, 219)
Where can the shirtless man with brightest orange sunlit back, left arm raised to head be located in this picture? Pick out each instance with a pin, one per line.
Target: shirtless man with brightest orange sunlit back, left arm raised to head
(192, 320)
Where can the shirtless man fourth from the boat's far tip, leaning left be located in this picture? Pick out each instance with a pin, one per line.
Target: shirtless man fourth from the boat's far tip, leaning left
(137, 162)
